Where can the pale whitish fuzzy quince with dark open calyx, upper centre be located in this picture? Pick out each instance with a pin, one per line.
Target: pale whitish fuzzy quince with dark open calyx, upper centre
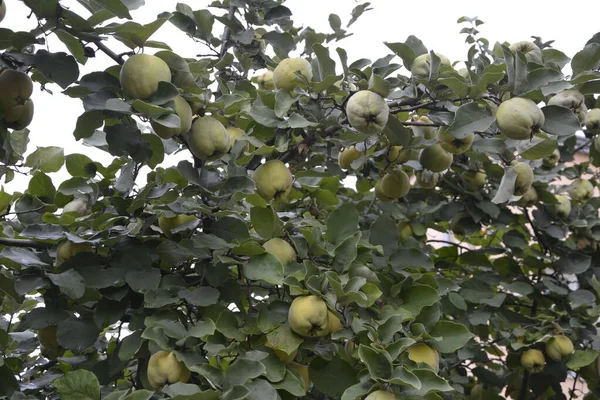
(367, 112)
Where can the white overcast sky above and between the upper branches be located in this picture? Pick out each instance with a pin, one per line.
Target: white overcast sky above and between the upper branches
(390, 20)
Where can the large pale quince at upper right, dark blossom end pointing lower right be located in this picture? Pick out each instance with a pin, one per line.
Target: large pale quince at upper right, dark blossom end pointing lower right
(519, 118)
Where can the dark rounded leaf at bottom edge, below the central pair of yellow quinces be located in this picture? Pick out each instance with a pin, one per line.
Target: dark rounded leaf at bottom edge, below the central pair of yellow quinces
(332, 377)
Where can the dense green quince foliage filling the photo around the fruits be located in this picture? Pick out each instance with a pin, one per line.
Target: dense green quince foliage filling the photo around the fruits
(515, 275)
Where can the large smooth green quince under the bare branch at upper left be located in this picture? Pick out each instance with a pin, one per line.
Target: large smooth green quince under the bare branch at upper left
(140, 75)
